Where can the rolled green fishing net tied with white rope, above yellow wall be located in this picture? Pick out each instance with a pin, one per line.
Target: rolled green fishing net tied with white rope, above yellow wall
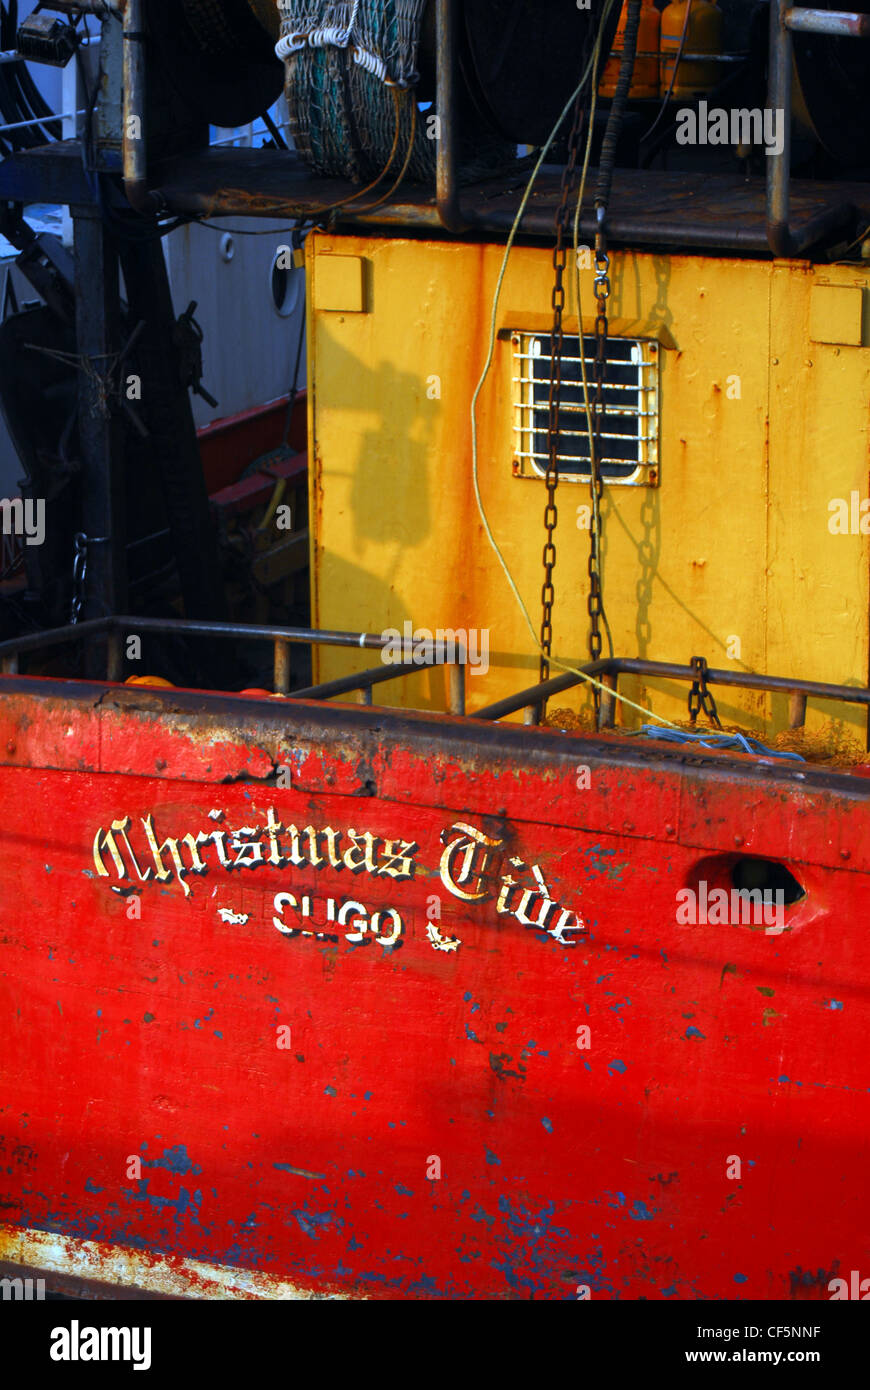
(351, 79)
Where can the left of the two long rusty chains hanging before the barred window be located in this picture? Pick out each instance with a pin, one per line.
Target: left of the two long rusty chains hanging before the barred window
(551, 515)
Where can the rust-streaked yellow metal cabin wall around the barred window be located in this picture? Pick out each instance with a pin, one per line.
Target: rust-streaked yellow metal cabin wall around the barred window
(761, 429)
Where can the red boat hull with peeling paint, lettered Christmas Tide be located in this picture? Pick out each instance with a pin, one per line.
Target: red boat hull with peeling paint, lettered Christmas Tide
(422, 1095)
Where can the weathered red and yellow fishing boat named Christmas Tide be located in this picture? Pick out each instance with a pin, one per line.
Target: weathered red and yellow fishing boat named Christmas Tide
(451, 882)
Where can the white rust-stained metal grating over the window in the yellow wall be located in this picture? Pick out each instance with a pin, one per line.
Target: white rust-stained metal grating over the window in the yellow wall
(630, 429)
